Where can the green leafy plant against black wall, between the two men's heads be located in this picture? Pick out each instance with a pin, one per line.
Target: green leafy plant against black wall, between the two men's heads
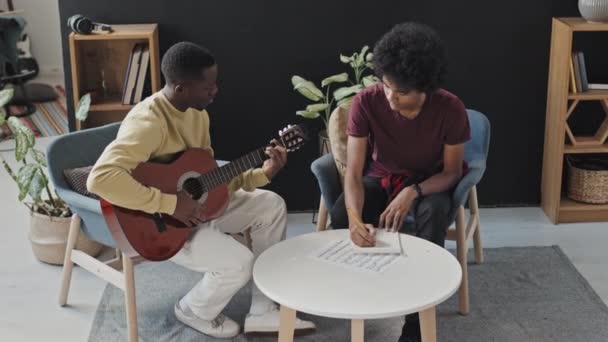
(350, 85)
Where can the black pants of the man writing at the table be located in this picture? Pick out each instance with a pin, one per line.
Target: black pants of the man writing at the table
(431, 223)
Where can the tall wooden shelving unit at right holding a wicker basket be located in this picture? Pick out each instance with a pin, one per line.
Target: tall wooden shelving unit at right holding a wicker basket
(560, 105)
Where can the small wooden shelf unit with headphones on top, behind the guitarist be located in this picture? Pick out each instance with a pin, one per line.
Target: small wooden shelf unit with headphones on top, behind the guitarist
(95, 57)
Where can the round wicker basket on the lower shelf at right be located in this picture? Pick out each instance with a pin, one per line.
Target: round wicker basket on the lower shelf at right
(588, 180)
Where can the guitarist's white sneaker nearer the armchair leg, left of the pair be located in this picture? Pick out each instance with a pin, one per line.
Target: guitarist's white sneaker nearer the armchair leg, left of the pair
(220, 327)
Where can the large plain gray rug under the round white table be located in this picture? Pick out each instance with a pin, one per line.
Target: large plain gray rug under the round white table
(519, 294)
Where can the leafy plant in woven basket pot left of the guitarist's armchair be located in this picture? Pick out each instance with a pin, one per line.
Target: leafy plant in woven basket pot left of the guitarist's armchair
(49, 216)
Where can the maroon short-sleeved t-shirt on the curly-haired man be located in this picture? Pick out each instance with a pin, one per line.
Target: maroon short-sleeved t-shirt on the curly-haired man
(398, 145)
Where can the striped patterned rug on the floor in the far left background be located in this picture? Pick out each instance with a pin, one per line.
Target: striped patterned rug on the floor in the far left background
(50, 118)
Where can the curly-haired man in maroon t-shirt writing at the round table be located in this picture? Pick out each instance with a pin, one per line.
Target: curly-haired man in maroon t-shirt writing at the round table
(405, 145)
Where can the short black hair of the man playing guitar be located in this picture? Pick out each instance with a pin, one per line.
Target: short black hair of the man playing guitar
(185, 61)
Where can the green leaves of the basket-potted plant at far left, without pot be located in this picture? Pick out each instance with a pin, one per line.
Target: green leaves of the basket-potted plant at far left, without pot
(31, 177)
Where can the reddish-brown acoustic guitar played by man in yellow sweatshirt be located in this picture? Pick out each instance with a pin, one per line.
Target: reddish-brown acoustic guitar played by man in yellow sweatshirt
(159, 236)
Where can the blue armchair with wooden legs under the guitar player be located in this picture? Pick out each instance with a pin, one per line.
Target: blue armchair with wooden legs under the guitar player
(74, 150)
